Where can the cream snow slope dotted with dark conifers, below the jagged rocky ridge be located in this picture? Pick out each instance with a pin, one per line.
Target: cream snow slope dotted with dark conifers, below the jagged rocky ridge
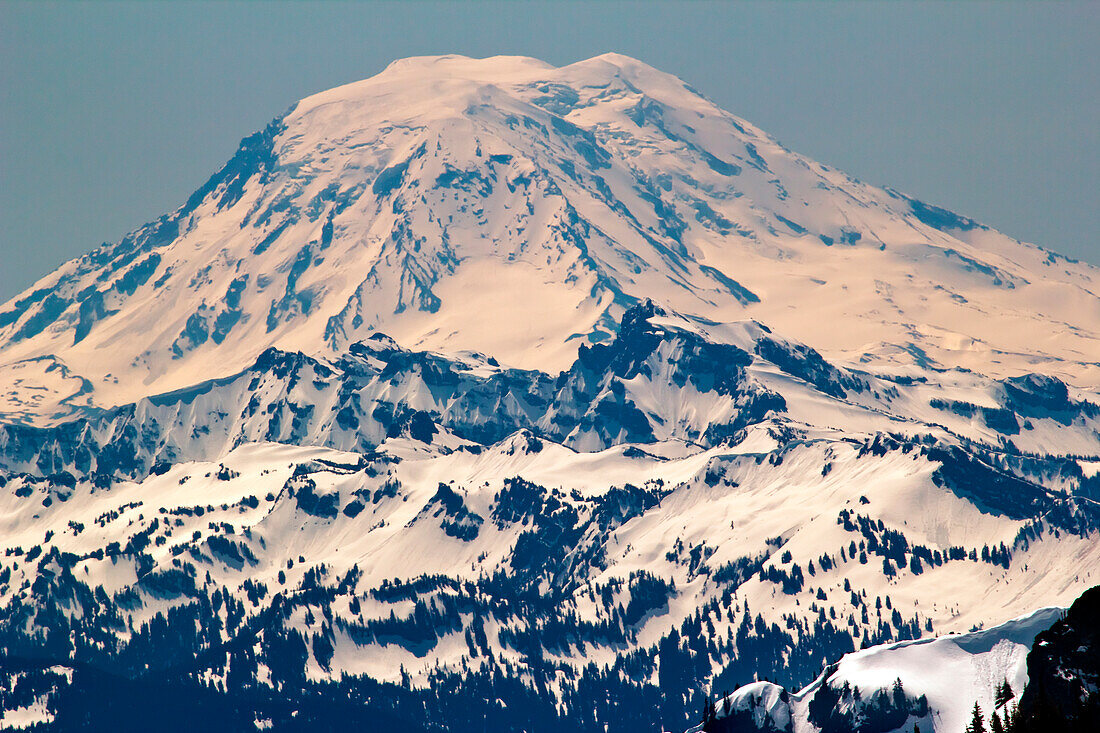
(776, 546)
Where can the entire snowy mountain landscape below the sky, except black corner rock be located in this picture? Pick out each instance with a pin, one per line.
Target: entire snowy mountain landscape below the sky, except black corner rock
(490, 396)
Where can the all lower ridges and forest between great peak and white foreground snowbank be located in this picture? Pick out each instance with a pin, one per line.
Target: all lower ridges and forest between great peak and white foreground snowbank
(408, 540)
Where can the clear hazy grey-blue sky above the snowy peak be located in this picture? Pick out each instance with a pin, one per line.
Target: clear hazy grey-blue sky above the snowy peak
(112, 114)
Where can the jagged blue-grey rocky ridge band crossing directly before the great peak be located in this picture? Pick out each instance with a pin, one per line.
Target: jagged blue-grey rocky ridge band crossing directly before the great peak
(662, 378)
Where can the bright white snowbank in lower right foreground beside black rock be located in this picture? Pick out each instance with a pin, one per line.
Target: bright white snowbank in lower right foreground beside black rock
(940, 679)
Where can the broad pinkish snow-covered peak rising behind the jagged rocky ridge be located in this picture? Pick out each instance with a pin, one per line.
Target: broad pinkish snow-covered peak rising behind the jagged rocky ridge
(510, 207)
